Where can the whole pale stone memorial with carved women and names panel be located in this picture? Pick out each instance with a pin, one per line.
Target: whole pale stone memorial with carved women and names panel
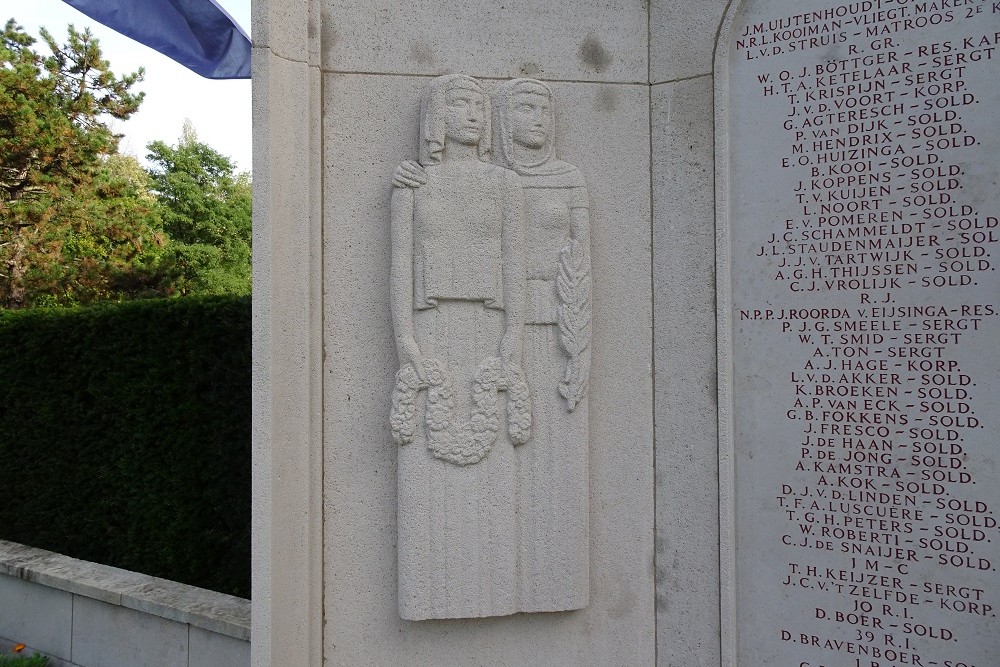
(700, 370)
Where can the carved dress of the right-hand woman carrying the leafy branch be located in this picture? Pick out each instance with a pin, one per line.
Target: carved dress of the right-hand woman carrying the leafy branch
(553, 469)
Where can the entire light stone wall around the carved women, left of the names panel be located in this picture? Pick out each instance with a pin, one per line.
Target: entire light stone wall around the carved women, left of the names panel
(634, 90)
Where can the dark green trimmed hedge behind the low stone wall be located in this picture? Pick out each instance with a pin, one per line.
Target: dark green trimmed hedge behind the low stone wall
(125, 436)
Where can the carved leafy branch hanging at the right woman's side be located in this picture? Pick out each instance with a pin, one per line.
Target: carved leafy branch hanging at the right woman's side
(573, 286)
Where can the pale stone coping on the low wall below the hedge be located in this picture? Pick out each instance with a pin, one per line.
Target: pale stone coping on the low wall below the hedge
(216, 612)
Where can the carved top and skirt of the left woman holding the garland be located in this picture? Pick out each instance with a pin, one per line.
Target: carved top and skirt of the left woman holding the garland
(457, 524)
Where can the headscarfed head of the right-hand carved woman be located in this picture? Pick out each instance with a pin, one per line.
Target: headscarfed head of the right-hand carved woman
(524, 119)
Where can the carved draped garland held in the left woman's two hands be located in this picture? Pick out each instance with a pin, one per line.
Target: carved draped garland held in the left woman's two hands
(468, 442)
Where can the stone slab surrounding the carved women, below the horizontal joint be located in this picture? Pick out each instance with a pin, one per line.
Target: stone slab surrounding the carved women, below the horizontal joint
(605, 128)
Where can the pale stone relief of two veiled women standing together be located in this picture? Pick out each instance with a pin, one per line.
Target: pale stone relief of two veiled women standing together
(490, 293)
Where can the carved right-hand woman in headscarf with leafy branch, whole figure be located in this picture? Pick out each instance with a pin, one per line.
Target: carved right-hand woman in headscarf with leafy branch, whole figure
(553, 472)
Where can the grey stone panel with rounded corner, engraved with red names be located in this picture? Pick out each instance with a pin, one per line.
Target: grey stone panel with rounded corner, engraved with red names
(860, 301)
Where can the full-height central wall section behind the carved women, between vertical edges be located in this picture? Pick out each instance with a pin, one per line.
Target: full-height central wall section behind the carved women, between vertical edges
(373, 79)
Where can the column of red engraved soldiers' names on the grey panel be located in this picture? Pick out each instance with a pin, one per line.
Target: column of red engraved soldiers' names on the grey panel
(880, 502)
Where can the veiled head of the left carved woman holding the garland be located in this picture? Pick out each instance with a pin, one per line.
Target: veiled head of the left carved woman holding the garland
(455, 108)
